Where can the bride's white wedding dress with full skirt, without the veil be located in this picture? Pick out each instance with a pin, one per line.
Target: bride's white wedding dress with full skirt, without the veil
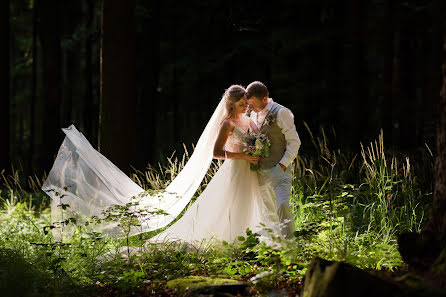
(229, 205)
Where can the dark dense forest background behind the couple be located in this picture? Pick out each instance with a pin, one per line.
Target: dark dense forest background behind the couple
(350, 66)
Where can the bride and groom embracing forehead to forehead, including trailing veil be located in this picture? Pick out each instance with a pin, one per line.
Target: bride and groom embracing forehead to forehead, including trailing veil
(235, 199)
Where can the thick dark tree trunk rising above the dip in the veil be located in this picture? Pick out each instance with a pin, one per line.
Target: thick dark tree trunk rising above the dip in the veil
(118, 88)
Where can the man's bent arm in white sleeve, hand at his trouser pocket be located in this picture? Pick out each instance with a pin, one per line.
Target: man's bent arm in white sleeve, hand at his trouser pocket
(285, 121)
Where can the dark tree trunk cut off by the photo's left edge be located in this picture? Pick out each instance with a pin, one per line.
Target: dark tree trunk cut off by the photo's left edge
(5, 160)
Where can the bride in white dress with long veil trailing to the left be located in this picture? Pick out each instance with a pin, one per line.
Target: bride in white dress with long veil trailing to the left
(232, 202)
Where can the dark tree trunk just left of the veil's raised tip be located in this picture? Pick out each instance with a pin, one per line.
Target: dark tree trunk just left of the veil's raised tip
(49, 34)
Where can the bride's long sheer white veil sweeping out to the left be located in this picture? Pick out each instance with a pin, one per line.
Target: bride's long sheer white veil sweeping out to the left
(84, 183)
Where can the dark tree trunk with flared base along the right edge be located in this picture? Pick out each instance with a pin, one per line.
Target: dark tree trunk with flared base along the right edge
(423, 250)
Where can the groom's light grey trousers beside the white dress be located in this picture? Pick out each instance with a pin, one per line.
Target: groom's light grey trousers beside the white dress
(274, 181)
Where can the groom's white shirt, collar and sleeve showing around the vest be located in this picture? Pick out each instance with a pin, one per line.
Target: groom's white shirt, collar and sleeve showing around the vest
(285, 121)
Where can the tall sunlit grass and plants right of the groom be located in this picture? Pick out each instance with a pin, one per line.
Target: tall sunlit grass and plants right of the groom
(356, 221)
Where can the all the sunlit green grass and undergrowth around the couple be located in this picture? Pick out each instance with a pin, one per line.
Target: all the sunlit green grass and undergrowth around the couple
(347, 207)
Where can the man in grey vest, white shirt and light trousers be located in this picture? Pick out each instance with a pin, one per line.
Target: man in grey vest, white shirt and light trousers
(277, 123)
